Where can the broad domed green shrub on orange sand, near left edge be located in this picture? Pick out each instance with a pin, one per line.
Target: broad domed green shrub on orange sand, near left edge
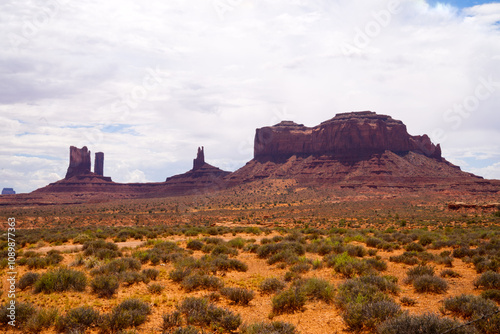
(61, 279)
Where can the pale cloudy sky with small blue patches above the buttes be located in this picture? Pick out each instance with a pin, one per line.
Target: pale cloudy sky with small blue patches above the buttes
(148, 82)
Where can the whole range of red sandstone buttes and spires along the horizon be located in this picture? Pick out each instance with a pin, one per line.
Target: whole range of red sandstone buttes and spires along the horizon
(356, 150)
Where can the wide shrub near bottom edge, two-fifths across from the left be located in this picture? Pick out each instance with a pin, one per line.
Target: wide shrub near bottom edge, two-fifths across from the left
(199, 311)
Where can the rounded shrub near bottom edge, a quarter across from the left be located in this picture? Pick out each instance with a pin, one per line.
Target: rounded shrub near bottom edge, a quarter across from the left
(129, 313)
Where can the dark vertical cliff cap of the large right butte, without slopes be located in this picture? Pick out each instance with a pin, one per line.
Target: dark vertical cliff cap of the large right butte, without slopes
(347, 136)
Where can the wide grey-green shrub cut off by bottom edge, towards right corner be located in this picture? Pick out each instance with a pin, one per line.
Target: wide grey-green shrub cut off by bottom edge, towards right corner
(422, 324)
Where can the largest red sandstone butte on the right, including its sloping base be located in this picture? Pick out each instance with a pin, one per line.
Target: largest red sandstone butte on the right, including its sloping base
(355, 150)
